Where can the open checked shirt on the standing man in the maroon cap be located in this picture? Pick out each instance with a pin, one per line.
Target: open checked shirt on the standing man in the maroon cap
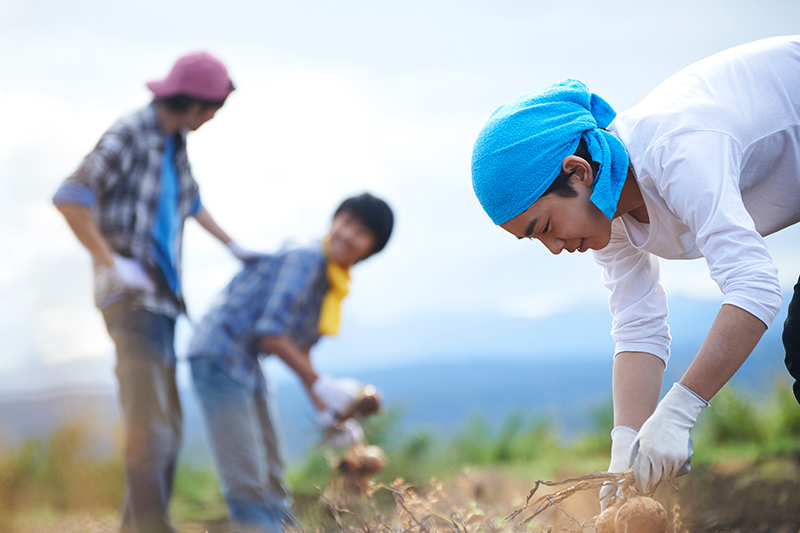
(123, 173)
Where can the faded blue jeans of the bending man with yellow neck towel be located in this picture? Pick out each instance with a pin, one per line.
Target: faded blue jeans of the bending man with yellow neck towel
(241, 429)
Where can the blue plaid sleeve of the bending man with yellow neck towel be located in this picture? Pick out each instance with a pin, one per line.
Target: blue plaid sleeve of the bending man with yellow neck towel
(293, 282)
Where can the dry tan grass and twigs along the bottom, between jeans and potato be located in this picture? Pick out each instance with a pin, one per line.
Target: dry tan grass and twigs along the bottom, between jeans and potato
(472, 503)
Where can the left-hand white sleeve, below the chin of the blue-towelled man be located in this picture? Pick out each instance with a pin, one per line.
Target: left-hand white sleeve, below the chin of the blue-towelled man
(638, 302)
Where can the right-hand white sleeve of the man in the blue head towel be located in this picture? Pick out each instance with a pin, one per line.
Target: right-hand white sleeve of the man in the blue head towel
(700, 185)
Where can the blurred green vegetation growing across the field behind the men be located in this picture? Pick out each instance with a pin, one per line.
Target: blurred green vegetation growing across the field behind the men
(60, 476)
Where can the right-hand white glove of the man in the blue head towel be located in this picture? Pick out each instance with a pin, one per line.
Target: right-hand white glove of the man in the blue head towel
(664, 447)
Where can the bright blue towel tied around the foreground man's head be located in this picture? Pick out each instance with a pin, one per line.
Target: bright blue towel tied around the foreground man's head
(519, 151)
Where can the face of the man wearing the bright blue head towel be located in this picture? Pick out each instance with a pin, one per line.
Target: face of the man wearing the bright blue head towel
(571, 224)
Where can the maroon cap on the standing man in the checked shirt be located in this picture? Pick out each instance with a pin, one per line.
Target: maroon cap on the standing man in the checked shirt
(199, 75)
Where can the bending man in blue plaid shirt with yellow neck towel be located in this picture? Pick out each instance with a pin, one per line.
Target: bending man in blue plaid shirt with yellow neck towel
(278, 305)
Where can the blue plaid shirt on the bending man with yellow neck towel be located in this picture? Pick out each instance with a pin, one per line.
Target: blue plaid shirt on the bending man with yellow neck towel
(278, 295)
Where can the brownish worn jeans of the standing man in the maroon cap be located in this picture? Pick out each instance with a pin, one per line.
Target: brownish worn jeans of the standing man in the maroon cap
(151, 412)
